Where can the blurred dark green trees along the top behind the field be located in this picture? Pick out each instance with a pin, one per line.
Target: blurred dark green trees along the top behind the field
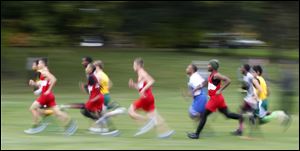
(147, 24)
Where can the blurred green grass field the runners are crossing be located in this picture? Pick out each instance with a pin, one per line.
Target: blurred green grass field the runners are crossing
(168, 69)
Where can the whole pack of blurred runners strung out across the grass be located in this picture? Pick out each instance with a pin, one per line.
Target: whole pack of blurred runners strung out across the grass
(206, 93)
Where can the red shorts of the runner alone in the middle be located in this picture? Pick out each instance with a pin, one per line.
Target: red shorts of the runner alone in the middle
(146, 103)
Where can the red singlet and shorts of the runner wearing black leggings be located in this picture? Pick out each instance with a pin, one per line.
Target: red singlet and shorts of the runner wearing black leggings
(215, 101)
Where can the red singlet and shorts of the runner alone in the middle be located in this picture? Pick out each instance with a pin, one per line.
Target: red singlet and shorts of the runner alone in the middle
(145, 102)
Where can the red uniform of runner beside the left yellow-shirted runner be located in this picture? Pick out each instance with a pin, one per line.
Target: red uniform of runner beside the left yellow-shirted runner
(94, 91)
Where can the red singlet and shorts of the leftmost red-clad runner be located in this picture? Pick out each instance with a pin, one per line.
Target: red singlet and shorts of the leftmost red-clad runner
(43, 99)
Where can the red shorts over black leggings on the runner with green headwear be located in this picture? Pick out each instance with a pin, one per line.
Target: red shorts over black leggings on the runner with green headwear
(215, 102)
